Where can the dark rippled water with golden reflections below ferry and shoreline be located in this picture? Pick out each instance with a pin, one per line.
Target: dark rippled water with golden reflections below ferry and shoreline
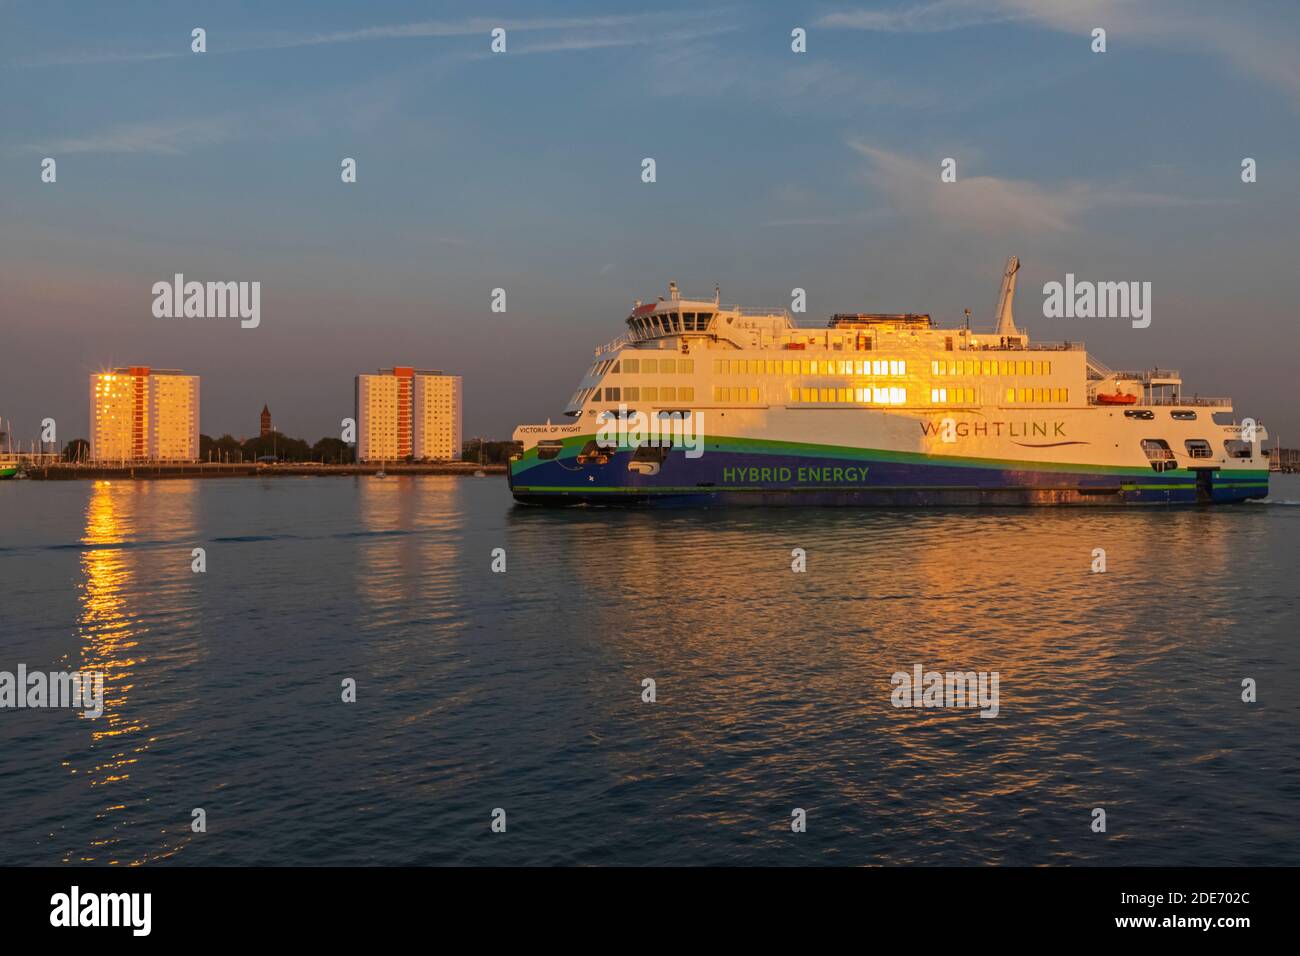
(523, 690)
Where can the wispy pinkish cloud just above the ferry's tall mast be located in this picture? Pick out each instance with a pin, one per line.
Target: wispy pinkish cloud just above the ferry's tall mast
(994, 206)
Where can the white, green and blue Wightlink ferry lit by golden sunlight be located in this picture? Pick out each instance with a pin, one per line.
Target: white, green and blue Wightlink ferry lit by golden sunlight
(704, 404)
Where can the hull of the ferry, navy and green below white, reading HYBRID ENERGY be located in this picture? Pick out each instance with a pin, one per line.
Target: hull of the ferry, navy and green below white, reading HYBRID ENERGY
(1050, 457)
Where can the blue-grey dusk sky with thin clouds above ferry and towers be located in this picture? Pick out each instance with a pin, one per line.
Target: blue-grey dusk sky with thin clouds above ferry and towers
(522, 171)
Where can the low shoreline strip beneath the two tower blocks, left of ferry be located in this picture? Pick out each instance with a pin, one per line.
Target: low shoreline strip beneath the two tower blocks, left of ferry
(213, 470)
